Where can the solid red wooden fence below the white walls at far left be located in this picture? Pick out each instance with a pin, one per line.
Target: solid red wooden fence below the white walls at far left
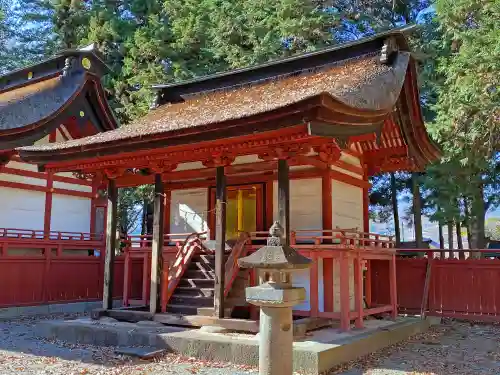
(40, 268)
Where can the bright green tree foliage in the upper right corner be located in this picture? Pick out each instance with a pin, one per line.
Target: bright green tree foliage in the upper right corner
(468, 109)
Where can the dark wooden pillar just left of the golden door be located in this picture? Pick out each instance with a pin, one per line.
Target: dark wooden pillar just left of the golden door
(220, 240)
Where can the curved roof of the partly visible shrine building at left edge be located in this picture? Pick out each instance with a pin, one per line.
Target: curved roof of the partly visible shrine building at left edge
(37, 99)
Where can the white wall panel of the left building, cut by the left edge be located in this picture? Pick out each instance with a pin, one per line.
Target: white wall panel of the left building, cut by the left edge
(21, 209)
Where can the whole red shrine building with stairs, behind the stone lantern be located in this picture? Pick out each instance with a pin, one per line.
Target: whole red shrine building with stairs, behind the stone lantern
(292, 140)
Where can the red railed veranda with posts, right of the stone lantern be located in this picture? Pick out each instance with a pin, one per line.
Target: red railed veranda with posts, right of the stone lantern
(333, 254)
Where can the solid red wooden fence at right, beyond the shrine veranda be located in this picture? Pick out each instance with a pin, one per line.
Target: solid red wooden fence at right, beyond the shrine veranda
(467, 289)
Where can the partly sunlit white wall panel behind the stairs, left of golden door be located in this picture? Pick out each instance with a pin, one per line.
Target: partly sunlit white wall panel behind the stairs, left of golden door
(188, 210)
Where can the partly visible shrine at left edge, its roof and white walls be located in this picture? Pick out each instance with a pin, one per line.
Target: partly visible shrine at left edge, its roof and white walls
(57, 100)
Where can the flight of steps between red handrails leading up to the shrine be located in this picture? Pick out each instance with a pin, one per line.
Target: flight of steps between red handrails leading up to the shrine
(194, 295)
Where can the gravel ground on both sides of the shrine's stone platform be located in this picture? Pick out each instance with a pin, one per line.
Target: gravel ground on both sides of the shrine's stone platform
(453, 348)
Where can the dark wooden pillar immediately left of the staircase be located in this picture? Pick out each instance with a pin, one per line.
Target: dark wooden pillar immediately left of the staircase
(157, 245)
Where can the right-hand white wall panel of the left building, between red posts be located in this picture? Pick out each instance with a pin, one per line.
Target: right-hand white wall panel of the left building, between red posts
(70, 214)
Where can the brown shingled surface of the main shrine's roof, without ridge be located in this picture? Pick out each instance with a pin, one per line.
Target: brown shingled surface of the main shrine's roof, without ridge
(362, 83)
